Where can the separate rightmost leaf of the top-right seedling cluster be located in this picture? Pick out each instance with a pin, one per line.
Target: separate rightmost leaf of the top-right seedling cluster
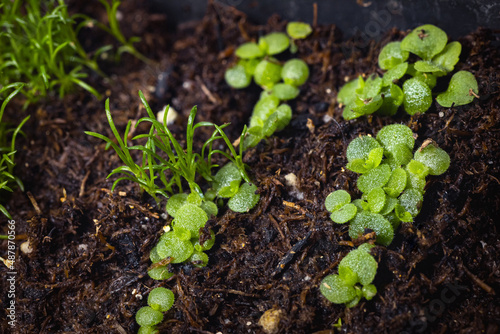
(460, 91)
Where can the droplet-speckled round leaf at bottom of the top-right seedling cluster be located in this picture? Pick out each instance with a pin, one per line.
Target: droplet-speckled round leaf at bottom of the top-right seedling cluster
(417, 96)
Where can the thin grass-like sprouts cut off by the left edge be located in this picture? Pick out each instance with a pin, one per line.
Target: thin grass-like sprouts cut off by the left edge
(8, 135)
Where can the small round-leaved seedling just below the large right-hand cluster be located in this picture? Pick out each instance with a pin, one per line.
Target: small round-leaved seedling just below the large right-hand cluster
(353, 282)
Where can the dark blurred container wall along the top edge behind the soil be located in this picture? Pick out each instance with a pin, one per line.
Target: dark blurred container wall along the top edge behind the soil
(456, 17)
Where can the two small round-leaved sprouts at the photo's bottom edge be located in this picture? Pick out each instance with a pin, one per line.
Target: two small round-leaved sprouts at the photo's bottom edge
(160, 300)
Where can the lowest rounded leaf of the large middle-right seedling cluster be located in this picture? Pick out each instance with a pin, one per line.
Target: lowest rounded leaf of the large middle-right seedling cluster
(375, 222)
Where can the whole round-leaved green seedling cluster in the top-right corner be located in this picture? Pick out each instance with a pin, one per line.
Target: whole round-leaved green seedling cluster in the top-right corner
(383, 94)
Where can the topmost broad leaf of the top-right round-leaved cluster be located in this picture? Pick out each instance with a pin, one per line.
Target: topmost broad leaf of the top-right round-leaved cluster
(425, 41)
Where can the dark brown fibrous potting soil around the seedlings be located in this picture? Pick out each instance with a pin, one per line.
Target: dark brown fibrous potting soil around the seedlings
(87, 272)
